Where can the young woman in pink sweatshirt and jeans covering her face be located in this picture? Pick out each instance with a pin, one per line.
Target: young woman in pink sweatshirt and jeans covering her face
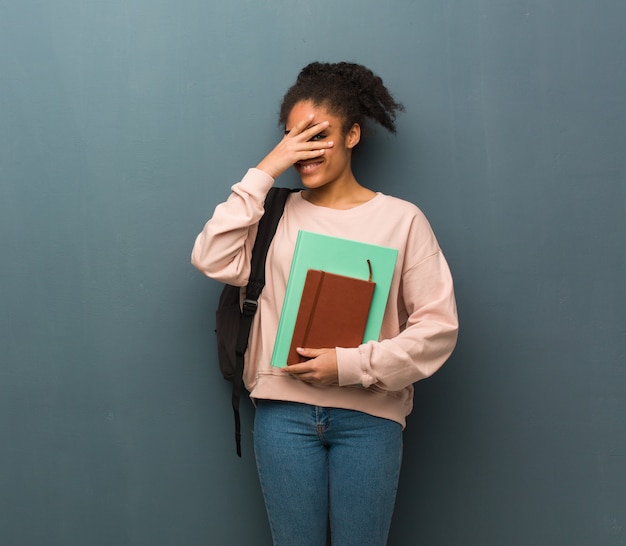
(328, 432)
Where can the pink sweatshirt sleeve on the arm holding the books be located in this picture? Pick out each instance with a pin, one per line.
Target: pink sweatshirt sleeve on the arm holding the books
(426, 341)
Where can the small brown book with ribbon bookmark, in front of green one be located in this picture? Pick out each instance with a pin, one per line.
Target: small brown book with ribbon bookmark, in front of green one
(333, 312)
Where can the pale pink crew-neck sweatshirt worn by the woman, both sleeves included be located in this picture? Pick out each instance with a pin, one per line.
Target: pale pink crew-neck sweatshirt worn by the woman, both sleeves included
(420, 324)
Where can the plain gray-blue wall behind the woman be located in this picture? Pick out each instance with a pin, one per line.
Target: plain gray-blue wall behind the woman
(123, 123)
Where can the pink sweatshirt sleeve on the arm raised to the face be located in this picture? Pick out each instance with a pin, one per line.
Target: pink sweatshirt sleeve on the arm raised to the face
(223, 248)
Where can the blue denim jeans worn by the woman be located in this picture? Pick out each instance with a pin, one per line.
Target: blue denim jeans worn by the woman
(322, 467)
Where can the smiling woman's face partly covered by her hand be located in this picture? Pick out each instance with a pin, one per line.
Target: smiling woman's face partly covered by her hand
(334, 166)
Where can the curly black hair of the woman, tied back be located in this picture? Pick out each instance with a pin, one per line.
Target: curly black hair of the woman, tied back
(348, 90)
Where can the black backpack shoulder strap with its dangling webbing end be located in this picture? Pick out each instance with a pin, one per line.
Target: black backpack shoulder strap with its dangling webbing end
(274, 207)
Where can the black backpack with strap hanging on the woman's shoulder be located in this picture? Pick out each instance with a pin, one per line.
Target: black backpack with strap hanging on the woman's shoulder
(233, 322)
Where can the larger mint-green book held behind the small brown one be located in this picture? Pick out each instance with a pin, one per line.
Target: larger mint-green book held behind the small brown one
(341, 257)
